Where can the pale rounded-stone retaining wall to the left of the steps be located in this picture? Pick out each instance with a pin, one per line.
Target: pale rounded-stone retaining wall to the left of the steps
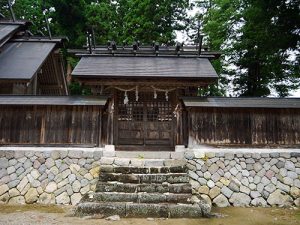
(48, 176)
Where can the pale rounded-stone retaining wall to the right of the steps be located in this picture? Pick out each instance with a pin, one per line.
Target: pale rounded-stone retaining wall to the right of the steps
(253, 177)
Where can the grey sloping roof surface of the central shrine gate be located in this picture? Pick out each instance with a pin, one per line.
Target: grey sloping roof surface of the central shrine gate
(151, 67)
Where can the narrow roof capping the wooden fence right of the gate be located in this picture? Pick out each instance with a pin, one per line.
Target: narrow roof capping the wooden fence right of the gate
(242, 102)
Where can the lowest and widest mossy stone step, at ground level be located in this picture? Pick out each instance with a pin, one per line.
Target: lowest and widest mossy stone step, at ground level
(129, 209)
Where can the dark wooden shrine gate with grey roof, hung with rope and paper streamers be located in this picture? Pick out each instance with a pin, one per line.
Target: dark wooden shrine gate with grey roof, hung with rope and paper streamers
(145, 85)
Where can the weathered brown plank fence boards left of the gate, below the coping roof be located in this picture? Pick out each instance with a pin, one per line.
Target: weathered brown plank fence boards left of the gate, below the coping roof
(50, 125)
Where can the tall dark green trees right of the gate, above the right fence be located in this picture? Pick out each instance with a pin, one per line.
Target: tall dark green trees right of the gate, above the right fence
(258, 39)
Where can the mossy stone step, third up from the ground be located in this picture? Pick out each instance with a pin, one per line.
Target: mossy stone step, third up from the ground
(150, 188)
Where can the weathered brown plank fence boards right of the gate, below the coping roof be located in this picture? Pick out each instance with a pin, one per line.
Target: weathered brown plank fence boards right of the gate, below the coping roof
(244, 126)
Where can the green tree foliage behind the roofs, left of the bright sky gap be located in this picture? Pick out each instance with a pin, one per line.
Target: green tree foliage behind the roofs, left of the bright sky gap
(120, 20)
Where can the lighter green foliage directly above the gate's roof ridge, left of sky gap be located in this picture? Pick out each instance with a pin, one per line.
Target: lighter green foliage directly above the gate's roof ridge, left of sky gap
(143, 20)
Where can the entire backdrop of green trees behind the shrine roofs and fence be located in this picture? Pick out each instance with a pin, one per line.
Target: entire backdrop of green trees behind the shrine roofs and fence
(259, 39)
